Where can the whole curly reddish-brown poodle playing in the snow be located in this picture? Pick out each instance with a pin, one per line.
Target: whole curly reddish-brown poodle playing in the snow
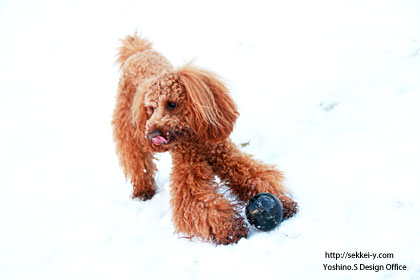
(187, 111)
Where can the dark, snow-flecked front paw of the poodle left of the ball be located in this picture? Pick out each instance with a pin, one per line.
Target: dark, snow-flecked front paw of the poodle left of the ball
(231, 232)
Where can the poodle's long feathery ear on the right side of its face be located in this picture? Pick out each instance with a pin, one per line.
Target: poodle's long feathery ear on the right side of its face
(212, 111)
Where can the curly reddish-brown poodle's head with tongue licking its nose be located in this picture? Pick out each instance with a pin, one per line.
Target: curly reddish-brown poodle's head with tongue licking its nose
(188, 104)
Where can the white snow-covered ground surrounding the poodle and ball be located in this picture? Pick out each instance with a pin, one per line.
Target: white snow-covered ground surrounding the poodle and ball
(327, 90)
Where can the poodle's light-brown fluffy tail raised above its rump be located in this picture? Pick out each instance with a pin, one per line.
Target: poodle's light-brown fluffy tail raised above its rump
(131, 45)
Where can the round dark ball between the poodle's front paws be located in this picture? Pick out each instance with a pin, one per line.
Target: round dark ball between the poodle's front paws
(264, 211)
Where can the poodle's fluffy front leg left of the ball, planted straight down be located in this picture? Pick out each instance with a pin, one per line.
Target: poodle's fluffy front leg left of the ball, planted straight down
(198, 210)
